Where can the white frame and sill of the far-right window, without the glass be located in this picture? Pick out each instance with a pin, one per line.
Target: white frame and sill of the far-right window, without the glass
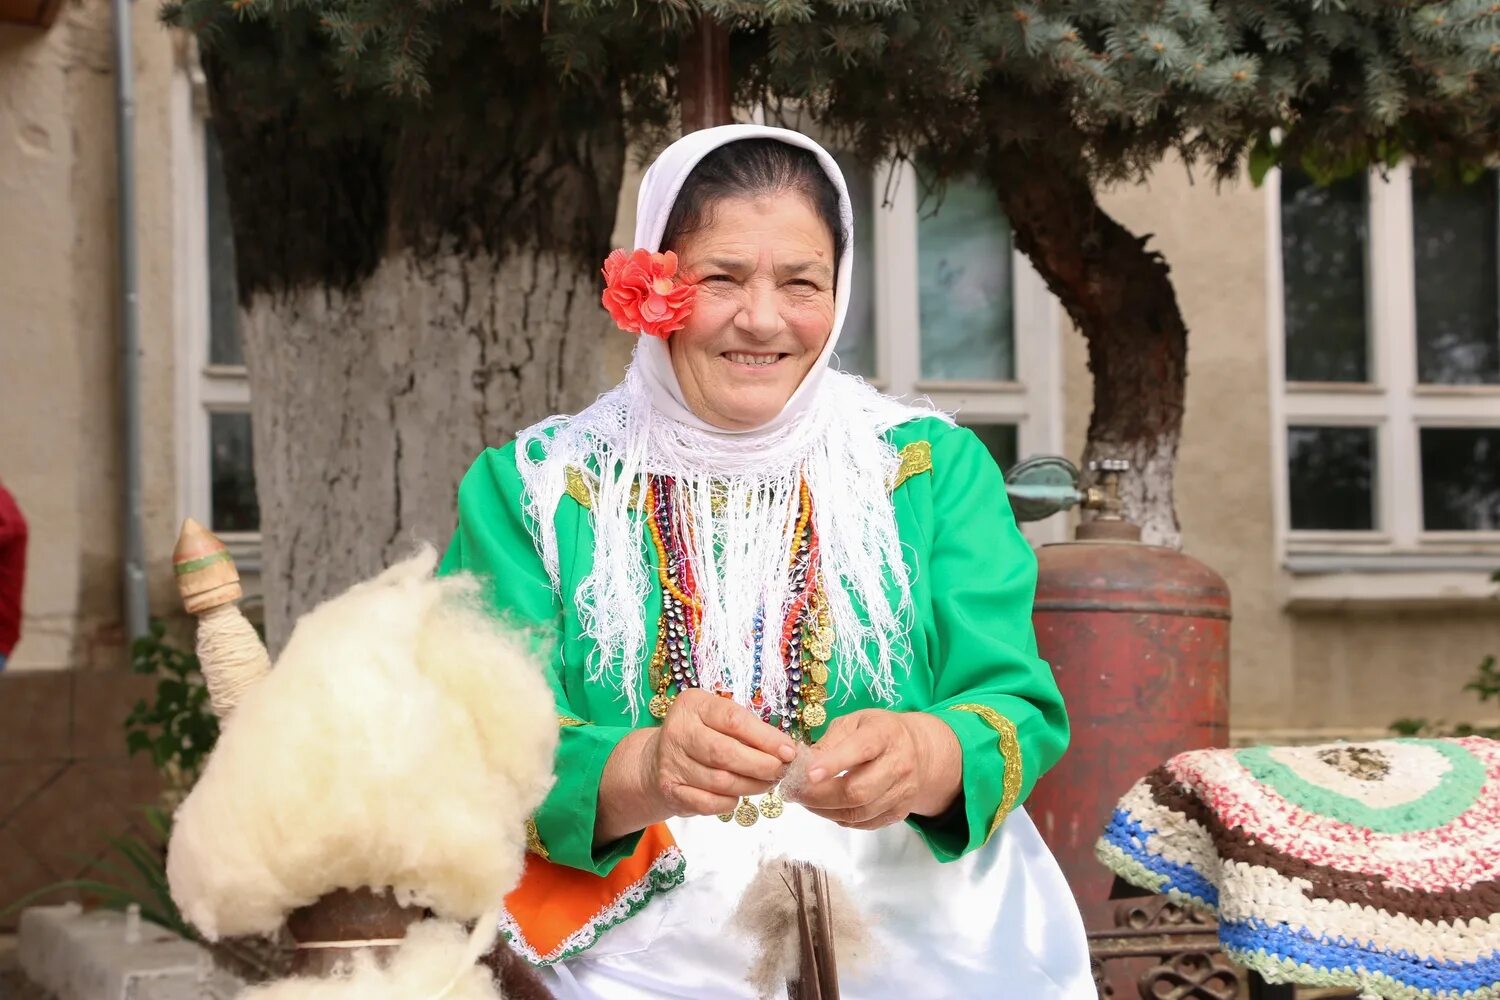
(1396, 407)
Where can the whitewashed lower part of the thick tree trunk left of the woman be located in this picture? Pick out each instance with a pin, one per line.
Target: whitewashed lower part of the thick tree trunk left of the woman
(370, 406)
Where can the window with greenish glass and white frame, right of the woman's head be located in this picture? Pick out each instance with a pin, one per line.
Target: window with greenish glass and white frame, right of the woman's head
(949, 310)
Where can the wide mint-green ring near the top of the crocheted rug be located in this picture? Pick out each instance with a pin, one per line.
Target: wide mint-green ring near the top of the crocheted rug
(1454, 794)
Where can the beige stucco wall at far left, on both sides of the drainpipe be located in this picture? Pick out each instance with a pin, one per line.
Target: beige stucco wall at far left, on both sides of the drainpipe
(59, 325)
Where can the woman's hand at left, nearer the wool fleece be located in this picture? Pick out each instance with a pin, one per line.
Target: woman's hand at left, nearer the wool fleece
(707, 755)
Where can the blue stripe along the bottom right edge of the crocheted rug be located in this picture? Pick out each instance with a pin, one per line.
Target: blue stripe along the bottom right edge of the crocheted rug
(1340, 956)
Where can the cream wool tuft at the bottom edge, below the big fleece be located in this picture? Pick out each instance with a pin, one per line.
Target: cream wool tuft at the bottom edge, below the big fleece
(422, 969)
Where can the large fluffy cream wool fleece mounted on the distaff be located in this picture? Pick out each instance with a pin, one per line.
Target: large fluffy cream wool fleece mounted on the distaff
(403, 740)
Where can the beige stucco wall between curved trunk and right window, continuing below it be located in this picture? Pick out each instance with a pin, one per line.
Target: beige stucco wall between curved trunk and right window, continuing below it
(1294, 674)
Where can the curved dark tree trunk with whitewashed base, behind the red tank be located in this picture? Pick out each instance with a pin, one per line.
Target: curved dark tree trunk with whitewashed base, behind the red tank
(1120, 295)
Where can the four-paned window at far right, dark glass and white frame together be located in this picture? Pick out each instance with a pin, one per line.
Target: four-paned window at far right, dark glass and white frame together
(1387, 344)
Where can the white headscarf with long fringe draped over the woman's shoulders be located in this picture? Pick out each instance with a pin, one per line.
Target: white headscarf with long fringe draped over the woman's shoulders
(737, 488)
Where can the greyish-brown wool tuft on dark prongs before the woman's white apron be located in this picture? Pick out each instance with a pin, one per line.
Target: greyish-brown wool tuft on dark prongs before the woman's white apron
(767, 915)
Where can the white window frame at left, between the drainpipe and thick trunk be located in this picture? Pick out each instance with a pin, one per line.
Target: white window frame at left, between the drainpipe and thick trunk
(203, 389)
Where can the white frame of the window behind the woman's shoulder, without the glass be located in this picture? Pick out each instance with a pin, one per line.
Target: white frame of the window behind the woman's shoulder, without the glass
(1033, 401)
